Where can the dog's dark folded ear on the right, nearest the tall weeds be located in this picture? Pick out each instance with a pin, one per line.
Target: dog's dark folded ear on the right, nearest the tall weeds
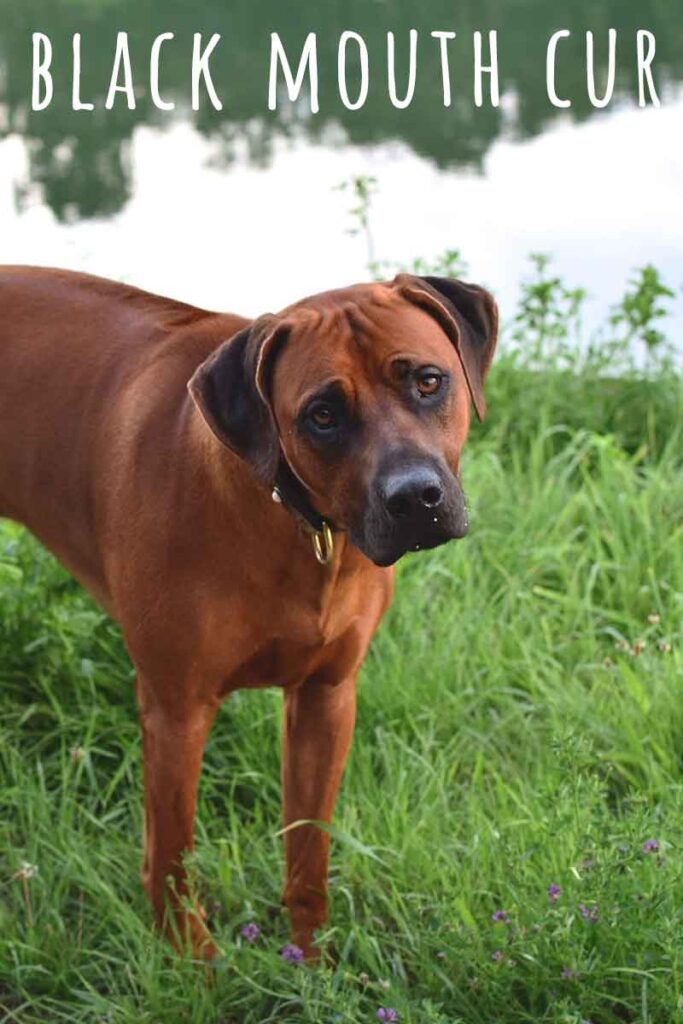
(469, 317)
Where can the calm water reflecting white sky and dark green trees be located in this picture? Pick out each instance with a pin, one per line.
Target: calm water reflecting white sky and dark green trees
(238, 209)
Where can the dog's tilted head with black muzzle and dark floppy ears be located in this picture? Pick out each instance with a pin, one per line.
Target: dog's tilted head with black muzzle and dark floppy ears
(366, 393)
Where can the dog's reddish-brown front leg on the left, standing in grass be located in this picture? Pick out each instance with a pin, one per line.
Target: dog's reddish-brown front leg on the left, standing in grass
(174, 741)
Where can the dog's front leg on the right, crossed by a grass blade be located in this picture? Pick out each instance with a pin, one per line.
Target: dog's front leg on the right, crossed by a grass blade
(318, 730)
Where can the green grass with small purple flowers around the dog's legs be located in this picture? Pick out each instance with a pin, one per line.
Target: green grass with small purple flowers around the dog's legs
(521, 726)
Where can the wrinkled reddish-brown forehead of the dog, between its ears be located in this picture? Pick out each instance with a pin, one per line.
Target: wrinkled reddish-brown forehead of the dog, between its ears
(355, 335)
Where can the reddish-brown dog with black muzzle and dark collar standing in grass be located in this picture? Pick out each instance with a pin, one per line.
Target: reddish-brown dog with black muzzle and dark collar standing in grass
(233, 493)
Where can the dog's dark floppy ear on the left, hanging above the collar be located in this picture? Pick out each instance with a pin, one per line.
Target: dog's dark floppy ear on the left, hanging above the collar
(232, 392)
